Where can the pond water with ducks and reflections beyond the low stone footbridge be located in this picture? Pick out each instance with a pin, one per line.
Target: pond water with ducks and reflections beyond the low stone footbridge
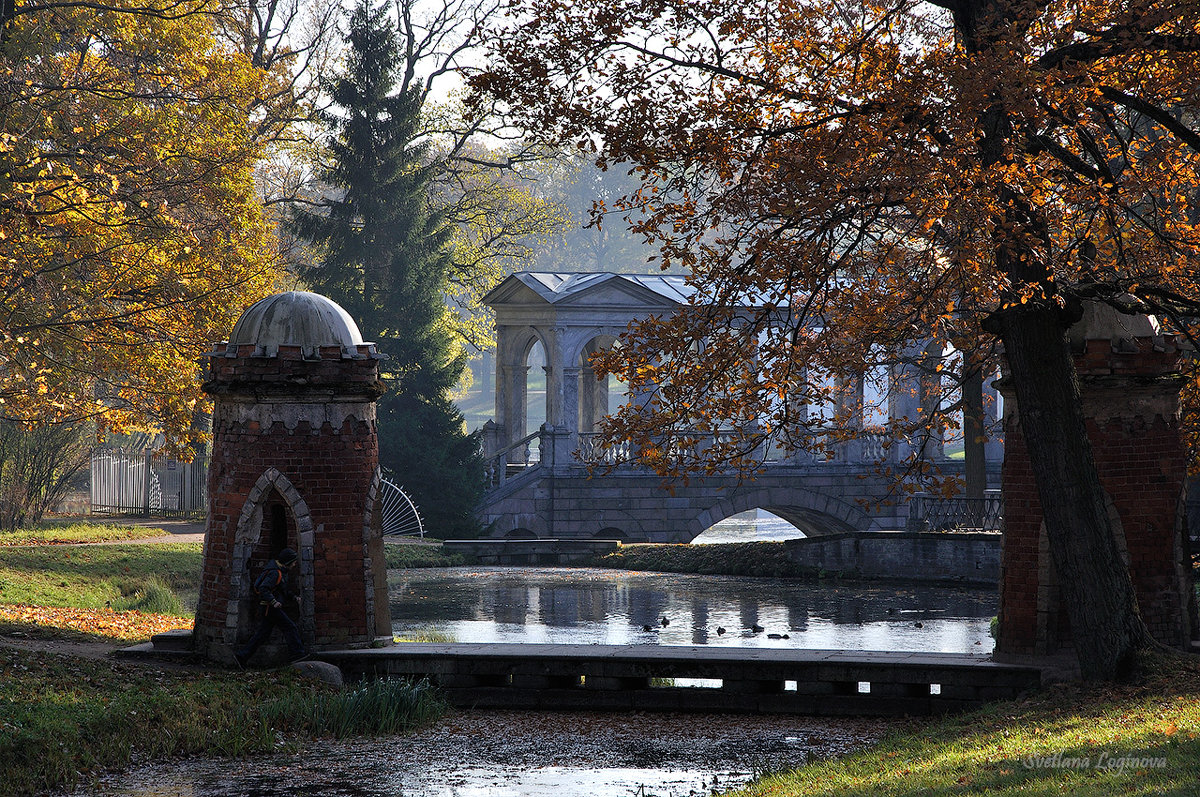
(619, 608)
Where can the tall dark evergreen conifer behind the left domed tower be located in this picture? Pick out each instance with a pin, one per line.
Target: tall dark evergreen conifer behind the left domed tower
(385, 256)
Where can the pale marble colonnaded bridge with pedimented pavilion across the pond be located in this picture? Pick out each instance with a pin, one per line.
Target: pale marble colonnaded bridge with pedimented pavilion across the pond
(542, 487)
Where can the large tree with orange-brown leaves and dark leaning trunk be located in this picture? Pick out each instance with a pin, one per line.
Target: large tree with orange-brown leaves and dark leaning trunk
(871, 173)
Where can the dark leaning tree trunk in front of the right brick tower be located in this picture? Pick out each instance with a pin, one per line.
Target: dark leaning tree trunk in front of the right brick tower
(1095, 582)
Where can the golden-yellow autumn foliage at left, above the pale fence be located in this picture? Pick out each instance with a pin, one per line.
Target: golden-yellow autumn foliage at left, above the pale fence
(130, 230)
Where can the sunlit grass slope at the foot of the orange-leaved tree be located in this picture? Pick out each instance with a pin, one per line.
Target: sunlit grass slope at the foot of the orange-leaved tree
(1069, 740)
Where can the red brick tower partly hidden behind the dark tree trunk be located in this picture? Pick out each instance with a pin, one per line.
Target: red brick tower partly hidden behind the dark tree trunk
(1130, 383)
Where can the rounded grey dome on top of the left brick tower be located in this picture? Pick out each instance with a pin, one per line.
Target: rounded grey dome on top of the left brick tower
(296, 319)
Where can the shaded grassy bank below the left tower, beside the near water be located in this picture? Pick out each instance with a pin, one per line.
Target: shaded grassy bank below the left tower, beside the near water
(64, 720)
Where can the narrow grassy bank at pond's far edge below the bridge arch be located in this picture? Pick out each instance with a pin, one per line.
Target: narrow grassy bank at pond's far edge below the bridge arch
(727, 559)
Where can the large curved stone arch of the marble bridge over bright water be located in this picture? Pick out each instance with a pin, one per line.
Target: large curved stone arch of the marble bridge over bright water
(812, 512)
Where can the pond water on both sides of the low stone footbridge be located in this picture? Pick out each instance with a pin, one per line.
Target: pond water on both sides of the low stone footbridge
(590, 754)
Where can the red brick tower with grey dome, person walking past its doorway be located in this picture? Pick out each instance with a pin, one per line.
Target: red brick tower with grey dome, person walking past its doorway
(295, 465)
